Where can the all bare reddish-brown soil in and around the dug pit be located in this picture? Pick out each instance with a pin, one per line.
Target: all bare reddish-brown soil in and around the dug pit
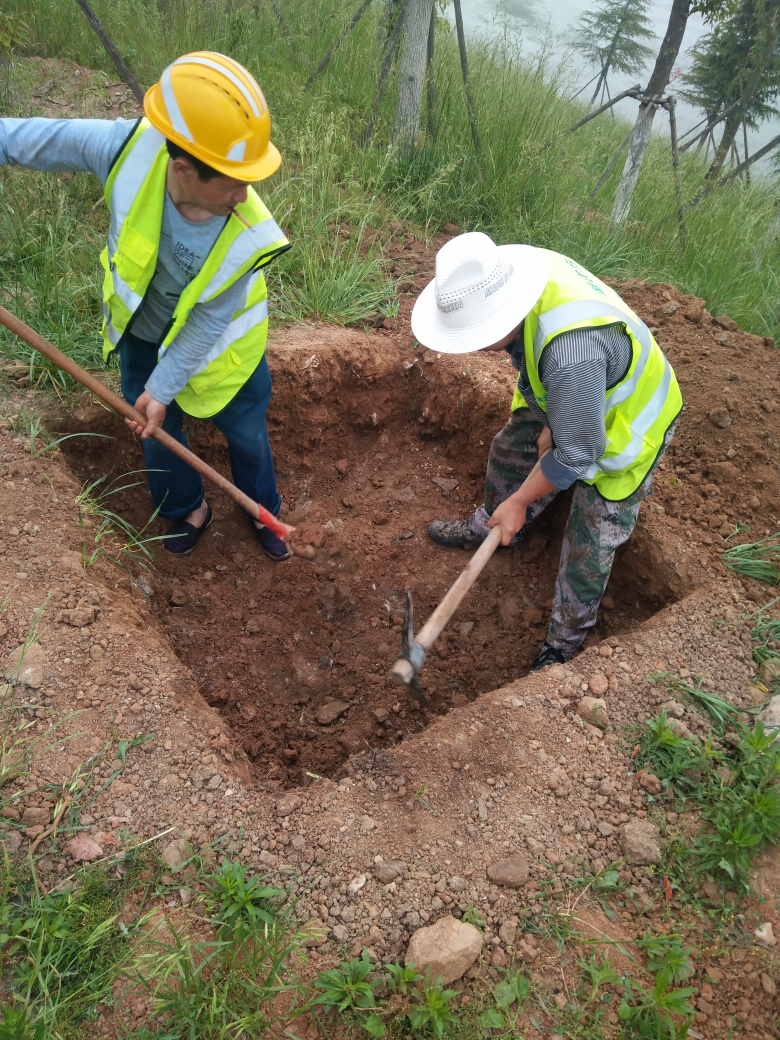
(362, 425)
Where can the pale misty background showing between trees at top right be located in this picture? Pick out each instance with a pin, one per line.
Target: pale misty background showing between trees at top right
(538, 20)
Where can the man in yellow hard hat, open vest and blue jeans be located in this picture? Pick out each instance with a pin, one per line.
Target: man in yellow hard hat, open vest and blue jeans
(185, 300)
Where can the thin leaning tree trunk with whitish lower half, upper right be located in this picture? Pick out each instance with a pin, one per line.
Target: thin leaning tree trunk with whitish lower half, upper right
(662, 74)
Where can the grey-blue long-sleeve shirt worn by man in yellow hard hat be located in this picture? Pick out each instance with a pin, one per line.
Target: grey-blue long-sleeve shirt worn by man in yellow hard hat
(89, 146)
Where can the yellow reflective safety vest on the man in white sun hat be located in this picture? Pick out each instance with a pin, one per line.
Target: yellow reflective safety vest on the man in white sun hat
(640, 409)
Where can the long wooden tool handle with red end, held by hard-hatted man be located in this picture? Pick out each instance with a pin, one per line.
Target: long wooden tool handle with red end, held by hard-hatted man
(119, 405)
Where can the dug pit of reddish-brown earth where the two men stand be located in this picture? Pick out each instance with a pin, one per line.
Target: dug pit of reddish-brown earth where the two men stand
(371, 444)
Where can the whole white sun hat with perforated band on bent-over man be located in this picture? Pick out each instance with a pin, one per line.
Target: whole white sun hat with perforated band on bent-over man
(481, 293)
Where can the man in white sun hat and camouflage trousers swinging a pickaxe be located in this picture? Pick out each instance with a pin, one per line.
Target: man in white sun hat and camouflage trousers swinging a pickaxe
(595, 400)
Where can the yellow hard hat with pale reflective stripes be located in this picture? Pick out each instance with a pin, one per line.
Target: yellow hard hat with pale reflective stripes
(213, 108)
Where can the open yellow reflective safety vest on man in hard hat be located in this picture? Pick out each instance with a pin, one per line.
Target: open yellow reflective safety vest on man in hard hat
(136, 192)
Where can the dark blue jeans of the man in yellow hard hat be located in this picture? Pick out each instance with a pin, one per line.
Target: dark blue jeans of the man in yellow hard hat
(175, 486)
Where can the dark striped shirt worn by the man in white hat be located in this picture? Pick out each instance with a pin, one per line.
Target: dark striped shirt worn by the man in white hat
(577, 370)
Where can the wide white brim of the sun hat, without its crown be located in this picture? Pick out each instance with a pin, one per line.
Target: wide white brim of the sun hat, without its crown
(522, 293)
